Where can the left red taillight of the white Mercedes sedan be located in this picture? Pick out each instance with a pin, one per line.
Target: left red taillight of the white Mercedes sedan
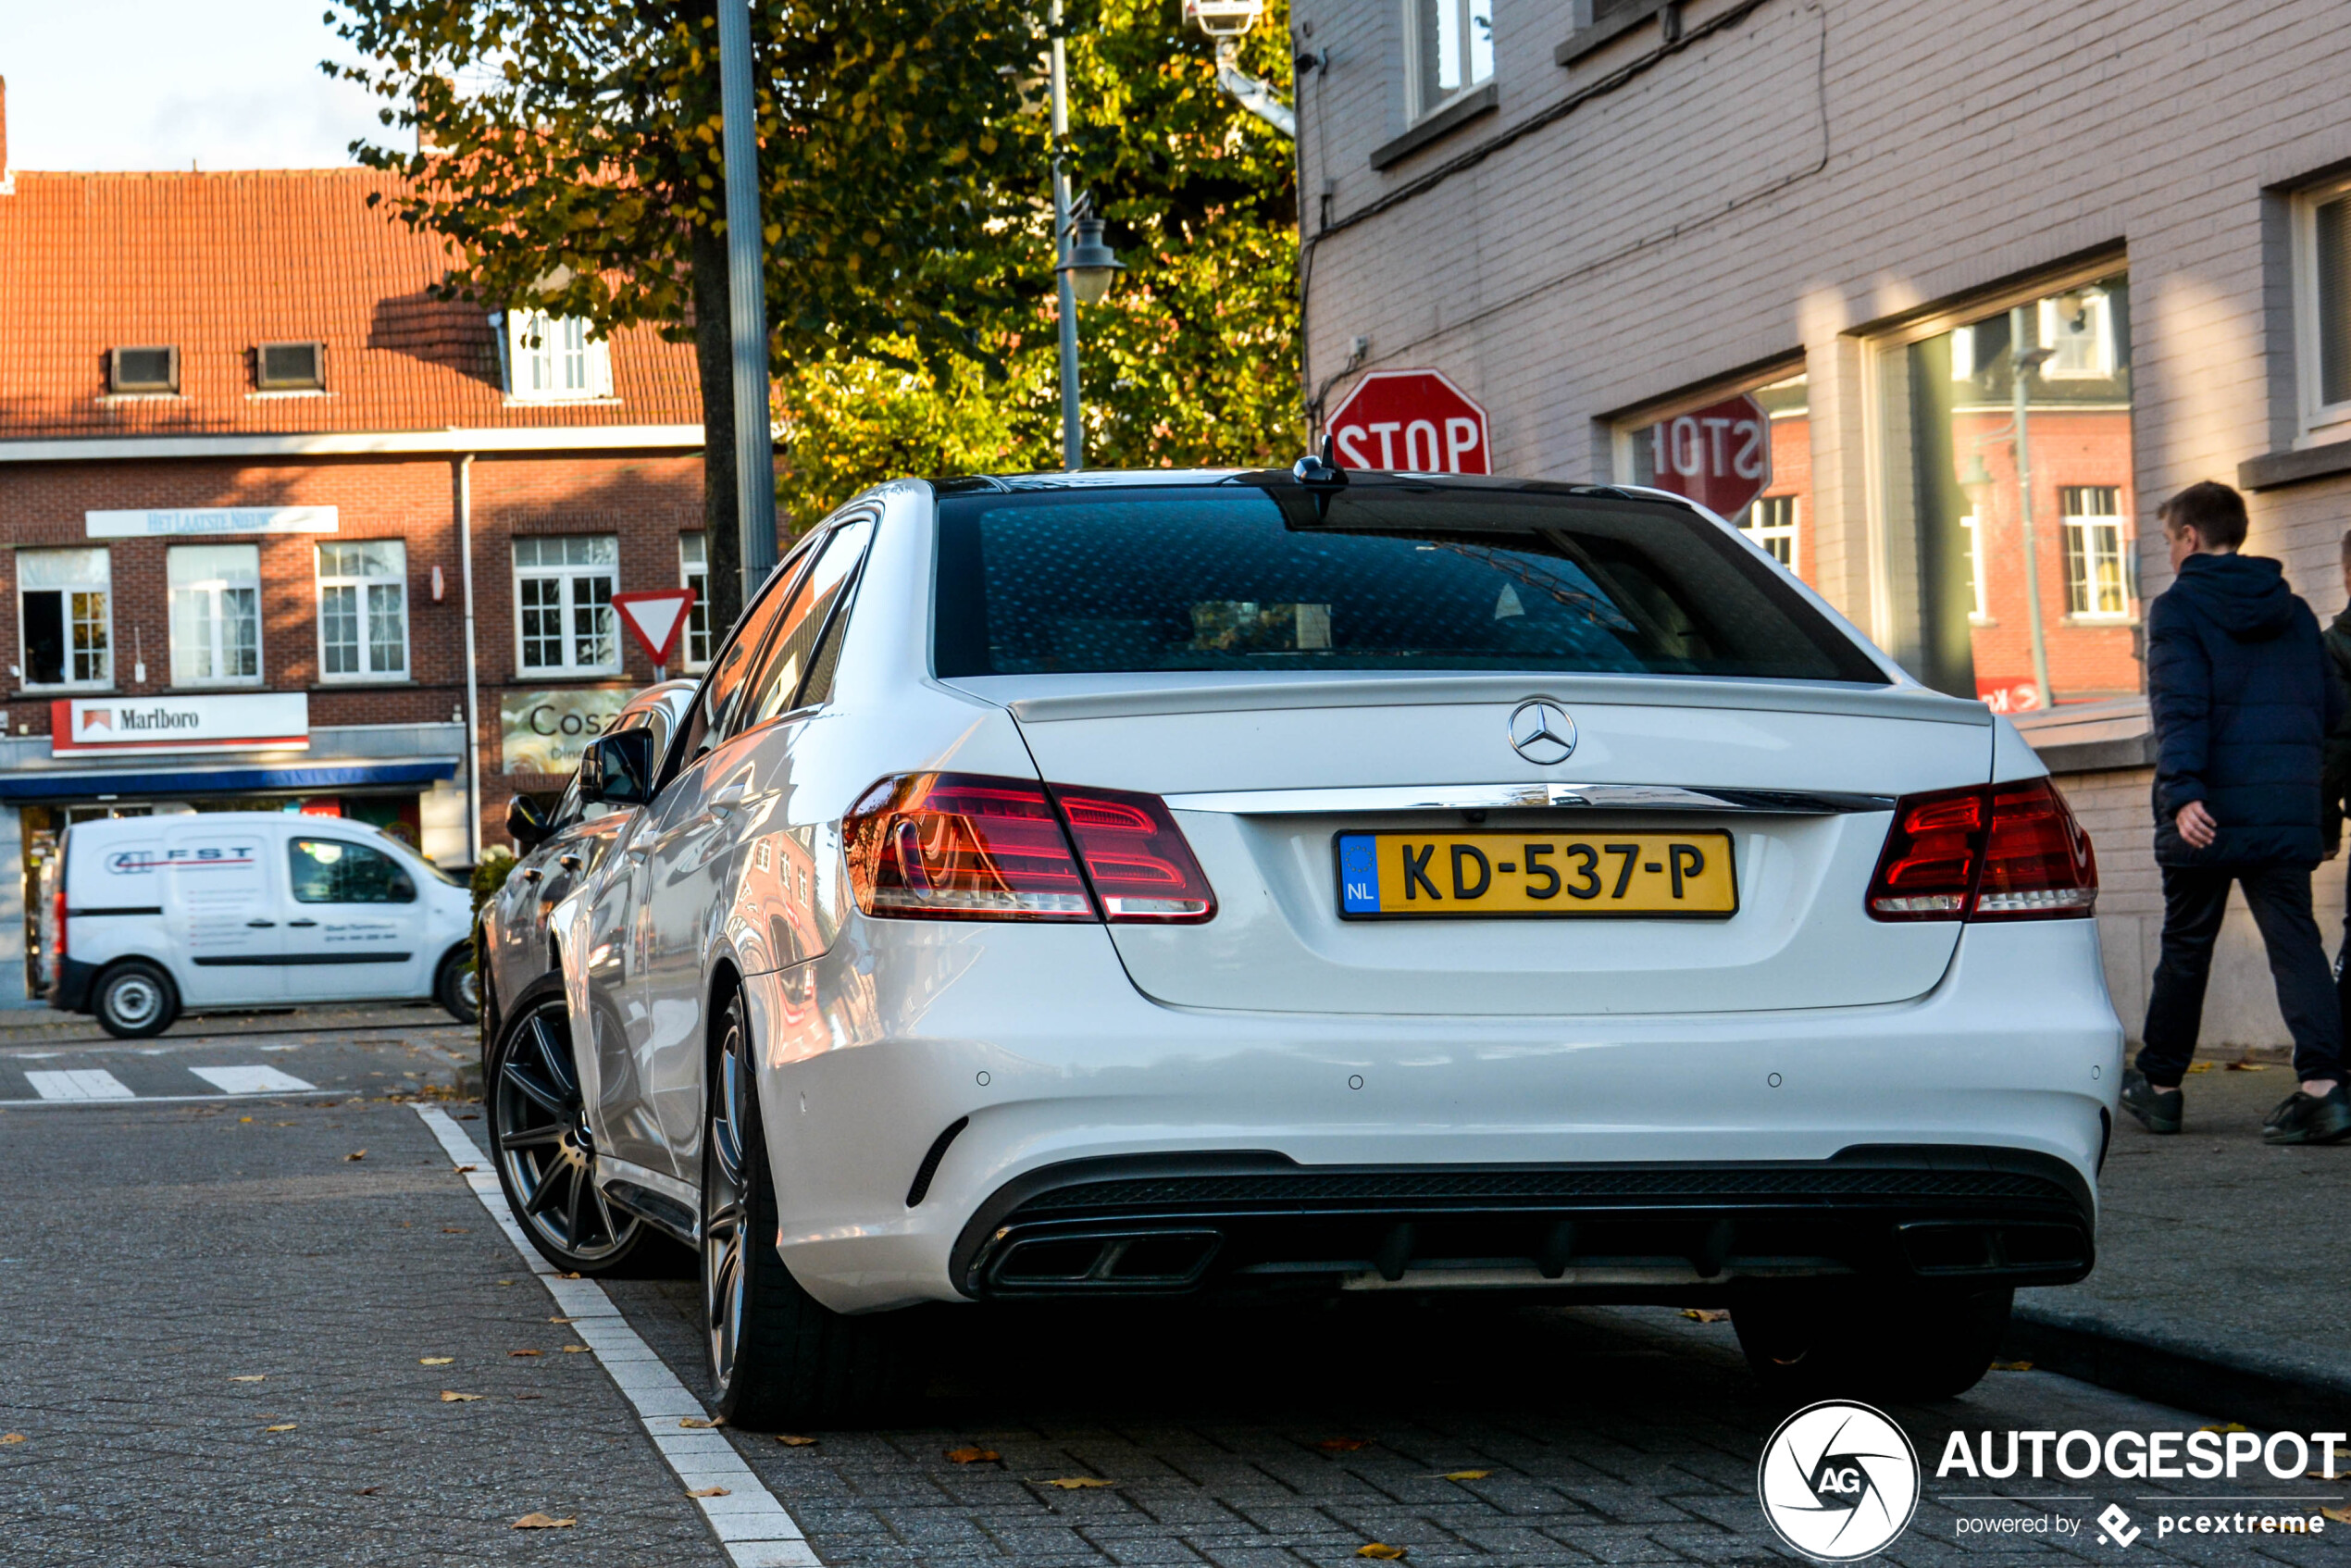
(970, 847)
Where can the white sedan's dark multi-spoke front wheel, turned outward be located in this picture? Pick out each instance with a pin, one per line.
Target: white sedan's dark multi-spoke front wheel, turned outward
(540, 1123)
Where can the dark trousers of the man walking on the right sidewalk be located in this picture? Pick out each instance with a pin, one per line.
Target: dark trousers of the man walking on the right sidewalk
(2195, 899)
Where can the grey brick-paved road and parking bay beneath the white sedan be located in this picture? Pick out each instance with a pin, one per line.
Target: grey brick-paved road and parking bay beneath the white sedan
(229, 1341)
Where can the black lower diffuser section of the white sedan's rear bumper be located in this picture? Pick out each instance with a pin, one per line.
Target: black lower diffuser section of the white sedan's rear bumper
(1245, 1221)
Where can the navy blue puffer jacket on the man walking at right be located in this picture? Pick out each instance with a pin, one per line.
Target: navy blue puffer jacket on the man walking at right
(2242, 697)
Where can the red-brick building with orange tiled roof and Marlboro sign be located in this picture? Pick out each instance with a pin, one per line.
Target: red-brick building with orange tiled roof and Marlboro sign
(241, 455)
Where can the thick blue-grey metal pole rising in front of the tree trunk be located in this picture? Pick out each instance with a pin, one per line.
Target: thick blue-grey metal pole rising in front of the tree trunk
(746, 300)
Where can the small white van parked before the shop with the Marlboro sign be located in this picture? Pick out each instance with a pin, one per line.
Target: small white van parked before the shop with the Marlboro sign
(152, 916)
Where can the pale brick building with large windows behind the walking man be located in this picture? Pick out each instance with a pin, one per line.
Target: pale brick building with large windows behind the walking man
(1607, 215)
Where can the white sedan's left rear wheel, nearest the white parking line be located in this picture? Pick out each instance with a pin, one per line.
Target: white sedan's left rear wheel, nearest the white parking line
(777, 1355)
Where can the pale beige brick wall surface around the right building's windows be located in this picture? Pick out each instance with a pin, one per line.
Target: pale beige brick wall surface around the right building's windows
(1821, 166)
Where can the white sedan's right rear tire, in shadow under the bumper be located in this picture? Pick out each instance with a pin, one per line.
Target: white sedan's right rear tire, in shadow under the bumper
(1868, 1339)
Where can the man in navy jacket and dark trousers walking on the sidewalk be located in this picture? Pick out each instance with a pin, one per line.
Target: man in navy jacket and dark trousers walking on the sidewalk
(2244, 699)
